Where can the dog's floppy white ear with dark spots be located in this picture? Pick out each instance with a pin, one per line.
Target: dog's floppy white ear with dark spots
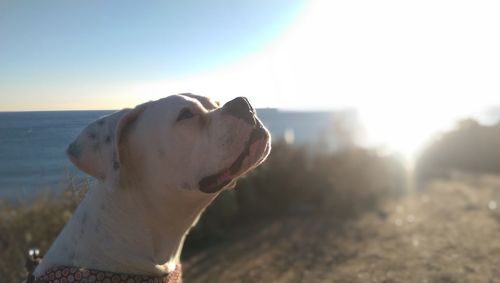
(96, 151)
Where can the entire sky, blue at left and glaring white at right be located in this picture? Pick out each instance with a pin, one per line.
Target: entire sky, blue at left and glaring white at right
(409, 68)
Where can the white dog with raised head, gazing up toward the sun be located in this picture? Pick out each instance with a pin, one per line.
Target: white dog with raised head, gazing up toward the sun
(159, 166)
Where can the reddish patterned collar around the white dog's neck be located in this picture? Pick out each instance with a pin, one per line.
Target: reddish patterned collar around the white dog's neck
(66, 274)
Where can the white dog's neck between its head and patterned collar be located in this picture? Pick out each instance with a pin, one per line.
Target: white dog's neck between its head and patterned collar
(124, 232)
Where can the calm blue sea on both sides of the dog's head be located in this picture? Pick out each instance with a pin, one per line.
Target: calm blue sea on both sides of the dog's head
(33, 144)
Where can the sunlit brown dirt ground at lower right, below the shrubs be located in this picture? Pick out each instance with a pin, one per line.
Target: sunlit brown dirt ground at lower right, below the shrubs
(449, 232)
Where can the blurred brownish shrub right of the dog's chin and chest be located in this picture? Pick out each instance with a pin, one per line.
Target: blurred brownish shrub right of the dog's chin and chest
(294, 181)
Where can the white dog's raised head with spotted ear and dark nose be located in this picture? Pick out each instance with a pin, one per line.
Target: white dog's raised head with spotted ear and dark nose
(182, 142)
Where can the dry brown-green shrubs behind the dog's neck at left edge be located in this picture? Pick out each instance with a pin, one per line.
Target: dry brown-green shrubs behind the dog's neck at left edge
(33, 223)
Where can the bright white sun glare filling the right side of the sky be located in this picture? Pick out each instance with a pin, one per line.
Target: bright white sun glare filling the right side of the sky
(408, 78)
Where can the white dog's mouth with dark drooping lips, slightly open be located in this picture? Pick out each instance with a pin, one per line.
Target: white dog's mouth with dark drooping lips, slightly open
(255, 150)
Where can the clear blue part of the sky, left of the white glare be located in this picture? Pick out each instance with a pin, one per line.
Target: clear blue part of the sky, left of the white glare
(51, 42)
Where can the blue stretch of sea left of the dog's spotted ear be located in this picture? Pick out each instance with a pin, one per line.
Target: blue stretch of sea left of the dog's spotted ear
(32, 148)
